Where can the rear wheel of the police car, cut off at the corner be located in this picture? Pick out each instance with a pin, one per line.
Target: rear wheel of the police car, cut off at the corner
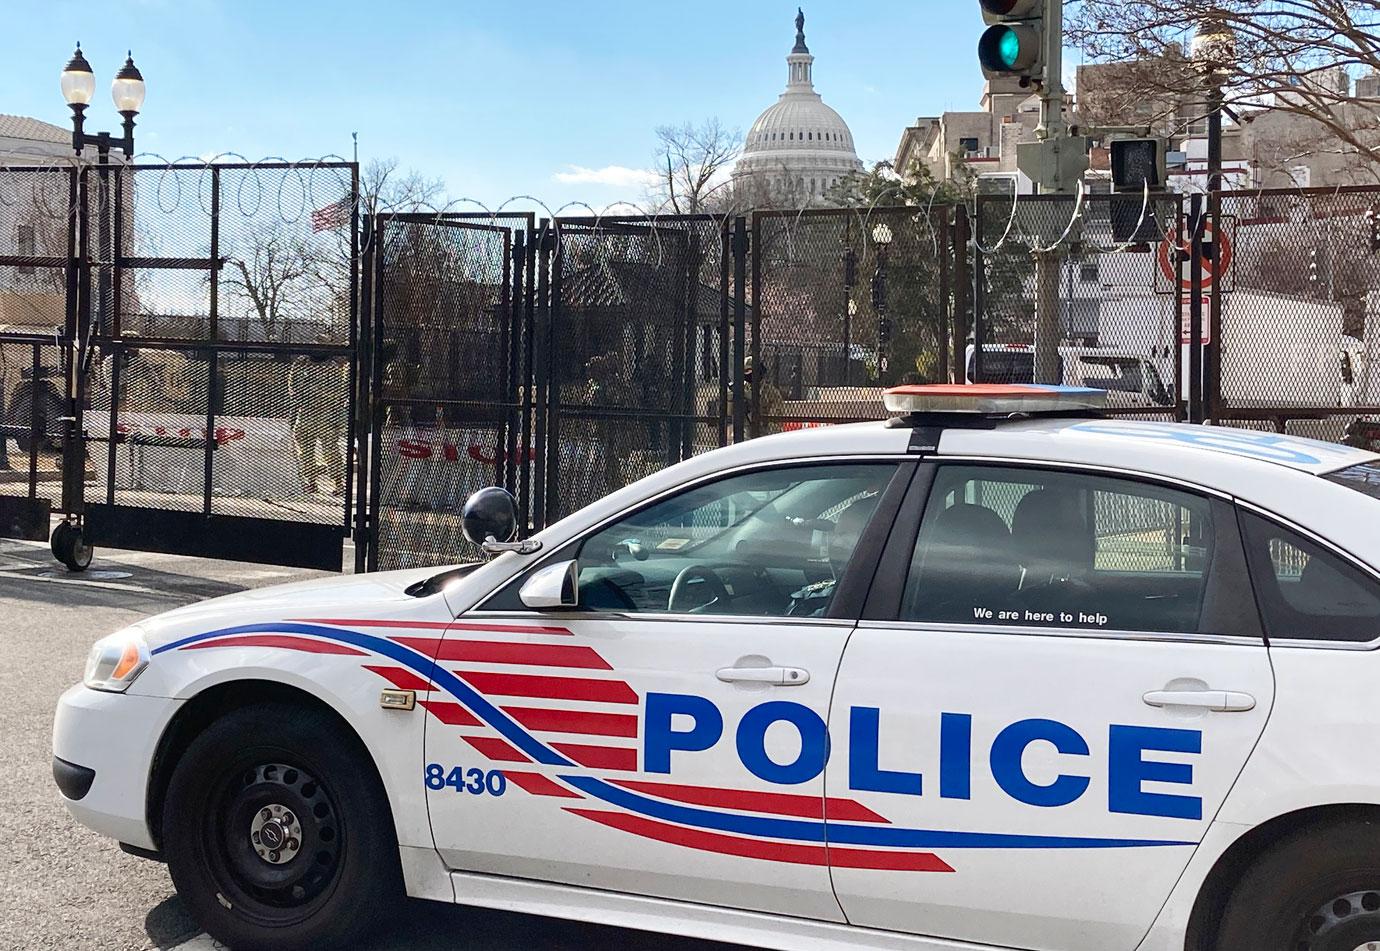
(1316, 891)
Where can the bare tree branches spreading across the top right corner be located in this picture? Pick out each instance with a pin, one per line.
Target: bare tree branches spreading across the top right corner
(1292, 59)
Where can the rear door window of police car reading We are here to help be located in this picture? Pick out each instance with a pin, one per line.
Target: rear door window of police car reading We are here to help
(1059, 550)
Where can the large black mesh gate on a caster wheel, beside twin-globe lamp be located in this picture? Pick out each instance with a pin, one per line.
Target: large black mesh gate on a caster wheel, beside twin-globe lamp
(217, 361)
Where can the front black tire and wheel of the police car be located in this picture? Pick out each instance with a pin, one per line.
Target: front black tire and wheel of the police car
(344, 873)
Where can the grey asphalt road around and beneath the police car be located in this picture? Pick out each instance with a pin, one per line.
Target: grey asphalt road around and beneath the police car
(63, 887)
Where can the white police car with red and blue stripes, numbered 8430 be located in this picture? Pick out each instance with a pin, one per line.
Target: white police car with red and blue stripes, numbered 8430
(1016, 678)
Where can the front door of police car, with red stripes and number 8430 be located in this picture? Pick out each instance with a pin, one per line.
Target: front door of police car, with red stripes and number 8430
(669, 736)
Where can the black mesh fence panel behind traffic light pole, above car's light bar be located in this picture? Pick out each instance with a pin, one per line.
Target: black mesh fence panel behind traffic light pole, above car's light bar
(1070, 292)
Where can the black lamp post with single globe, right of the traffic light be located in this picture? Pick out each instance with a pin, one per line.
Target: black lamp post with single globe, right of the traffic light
(1214, 53)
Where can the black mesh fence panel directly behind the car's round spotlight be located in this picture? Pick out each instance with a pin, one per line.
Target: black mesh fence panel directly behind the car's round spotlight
(451, 354)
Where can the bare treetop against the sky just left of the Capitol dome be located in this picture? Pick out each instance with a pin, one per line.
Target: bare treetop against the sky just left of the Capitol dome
(692, 166)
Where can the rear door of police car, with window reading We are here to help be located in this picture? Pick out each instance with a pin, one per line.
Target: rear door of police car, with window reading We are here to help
(1049, 698)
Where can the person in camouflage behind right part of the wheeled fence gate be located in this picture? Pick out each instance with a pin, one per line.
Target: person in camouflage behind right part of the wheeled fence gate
(318, 389)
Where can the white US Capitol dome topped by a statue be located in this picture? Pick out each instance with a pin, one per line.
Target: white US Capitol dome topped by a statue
(800, 147)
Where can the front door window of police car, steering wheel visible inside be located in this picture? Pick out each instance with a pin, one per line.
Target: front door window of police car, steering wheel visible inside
(769, 543)
